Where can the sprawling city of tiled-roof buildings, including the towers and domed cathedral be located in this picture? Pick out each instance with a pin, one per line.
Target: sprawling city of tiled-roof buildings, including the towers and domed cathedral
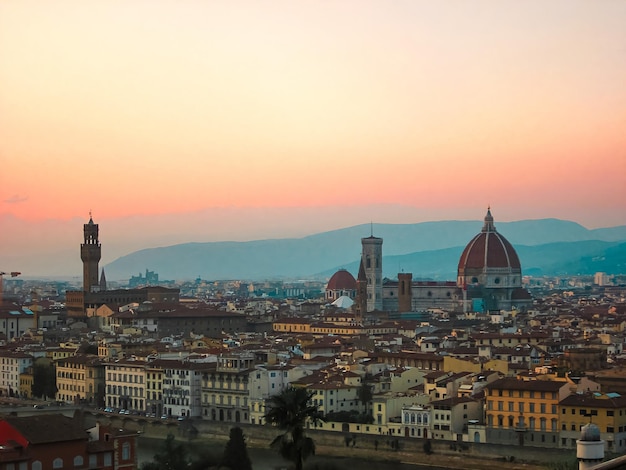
(471, 360)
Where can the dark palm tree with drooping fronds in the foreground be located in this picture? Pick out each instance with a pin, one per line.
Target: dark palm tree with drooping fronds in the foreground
(289, 411)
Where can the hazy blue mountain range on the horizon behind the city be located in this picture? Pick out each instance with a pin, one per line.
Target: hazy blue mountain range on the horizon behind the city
(427, 249)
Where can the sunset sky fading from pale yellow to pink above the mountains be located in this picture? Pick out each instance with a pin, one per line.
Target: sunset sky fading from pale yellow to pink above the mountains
(391, 111)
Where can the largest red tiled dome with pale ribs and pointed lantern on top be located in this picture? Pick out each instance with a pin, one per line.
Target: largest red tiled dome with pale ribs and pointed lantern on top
(488, 249)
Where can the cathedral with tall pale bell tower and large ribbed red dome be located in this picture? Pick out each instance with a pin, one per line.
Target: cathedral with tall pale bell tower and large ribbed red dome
(489, 278)
